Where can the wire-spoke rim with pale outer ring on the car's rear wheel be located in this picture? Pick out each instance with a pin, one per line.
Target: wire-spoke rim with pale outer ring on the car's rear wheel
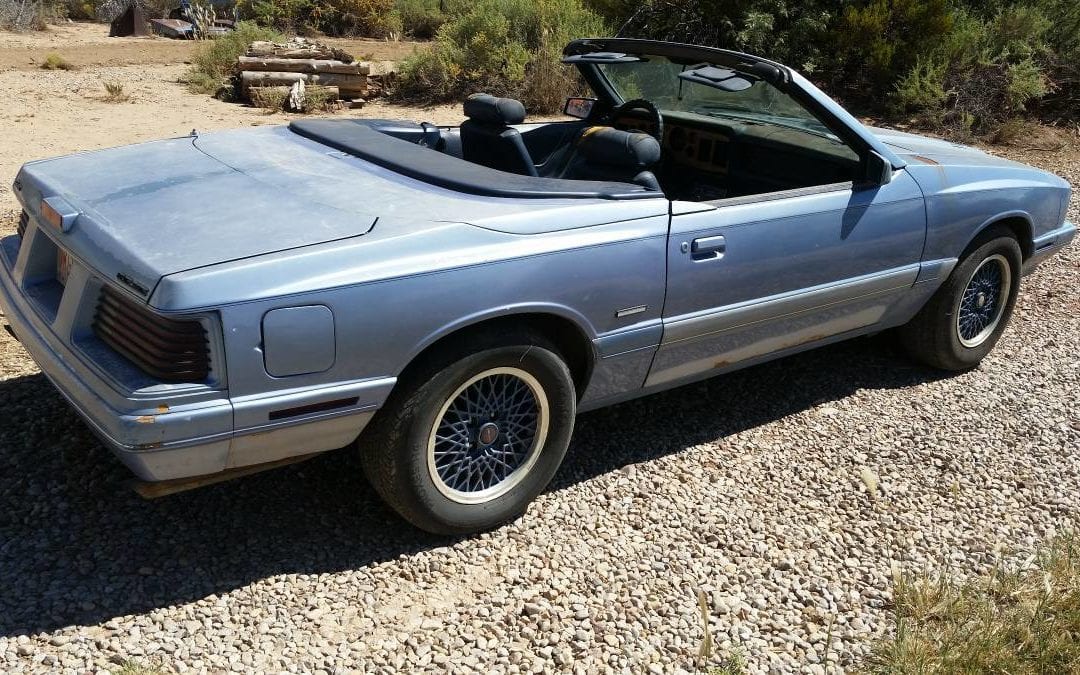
(489, 436)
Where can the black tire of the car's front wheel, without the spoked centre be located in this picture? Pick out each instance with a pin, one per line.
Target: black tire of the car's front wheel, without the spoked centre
(934, 336)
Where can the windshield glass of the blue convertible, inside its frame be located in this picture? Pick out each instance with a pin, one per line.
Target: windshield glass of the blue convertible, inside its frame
(656, 78)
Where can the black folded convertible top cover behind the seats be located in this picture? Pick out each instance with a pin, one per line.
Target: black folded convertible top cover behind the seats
(360, 140)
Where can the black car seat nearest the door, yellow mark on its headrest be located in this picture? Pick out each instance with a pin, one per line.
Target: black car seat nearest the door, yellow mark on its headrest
(609, 154)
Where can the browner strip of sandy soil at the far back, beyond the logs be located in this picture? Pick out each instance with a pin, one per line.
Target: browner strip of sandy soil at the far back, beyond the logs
(90, 45)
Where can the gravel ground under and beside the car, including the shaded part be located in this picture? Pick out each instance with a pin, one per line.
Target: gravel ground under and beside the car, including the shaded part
(749, 488)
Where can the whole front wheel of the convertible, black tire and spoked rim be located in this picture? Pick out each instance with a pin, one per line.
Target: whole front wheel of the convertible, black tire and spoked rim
(964, 320)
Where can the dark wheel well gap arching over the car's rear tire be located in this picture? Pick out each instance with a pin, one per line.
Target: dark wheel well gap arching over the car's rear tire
(569, 339)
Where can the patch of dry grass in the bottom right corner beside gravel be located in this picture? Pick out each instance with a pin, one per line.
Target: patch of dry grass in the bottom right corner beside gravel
(1020, 622)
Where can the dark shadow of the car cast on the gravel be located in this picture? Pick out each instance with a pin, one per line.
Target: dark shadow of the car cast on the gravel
(78, 547)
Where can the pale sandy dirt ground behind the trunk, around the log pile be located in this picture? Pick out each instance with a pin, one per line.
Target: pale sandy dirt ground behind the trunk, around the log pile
(53, 113)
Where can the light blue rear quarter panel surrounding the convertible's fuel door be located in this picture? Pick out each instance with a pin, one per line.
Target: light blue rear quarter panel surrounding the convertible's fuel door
(395, 295)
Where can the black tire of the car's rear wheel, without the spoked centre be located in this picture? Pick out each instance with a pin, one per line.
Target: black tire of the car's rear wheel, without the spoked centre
(396, 447)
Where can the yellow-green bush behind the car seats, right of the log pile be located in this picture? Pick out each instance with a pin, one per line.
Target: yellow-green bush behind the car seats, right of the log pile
(507, 48)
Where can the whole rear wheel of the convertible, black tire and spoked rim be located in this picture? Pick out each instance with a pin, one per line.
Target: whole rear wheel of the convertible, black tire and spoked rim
(474, 436)
